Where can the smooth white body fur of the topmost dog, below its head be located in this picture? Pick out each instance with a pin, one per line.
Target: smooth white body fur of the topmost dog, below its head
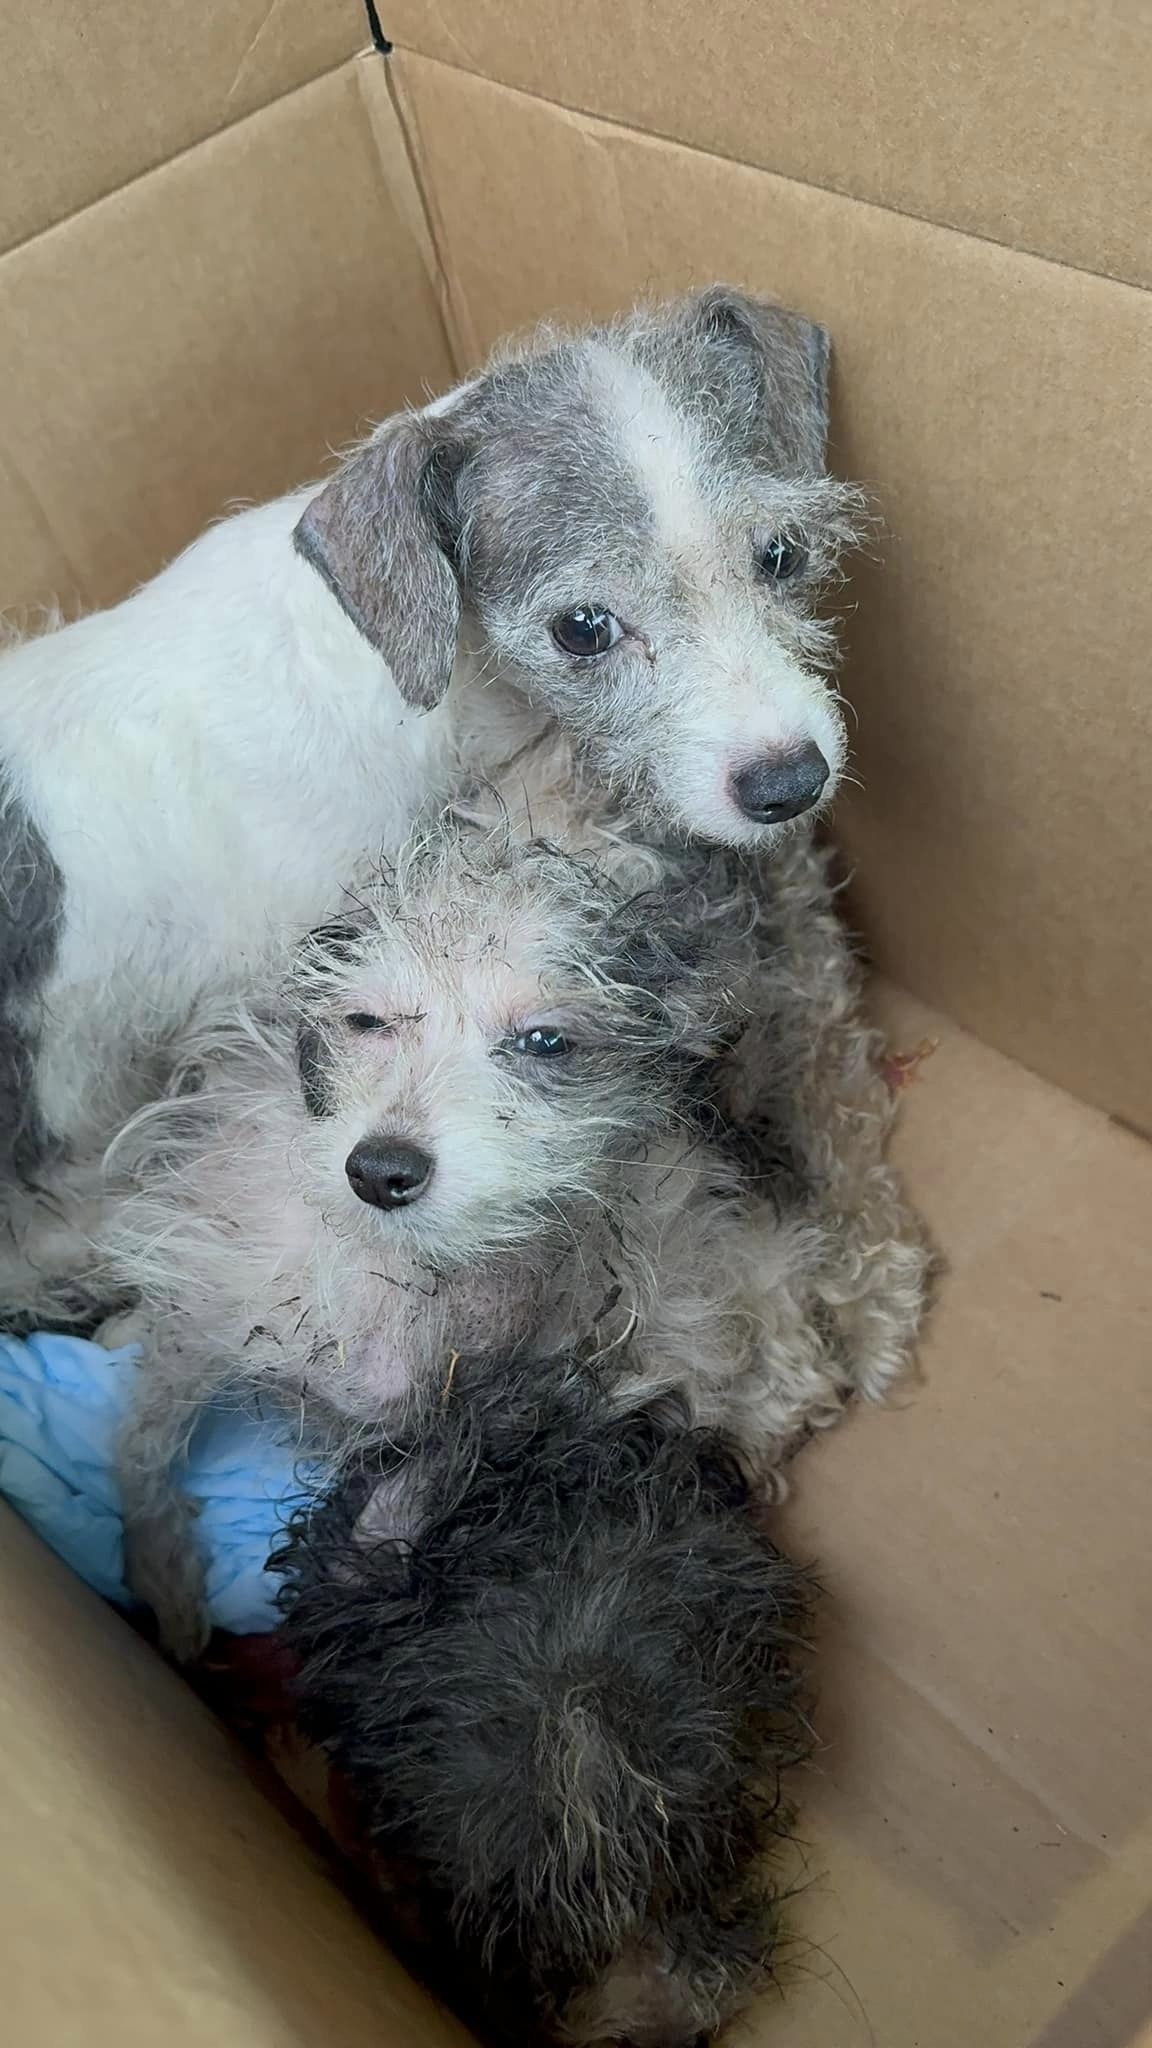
(210, 763)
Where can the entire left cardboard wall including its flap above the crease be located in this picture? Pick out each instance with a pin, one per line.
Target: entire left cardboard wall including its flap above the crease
(216, 271)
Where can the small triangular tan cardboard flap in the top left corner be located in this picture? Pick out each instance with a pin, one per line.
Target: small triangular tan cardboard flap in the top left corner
(95, 95)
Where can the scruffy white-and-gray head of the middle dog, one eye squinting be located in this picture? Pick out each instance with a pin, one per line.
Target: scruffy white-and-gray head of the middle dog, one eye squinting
(485, 1035)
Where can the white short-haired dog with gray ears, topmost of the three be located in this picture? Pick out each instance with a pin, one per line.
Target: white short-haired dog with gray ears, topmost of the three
(618, 531)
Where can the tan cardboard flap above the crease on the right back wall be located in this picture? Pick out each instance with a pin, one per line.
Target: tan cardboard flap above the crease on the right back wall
(1026, 124)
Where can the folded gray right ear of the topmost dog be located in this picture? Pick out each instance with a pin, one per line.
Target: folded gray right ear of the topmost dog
(790, 361)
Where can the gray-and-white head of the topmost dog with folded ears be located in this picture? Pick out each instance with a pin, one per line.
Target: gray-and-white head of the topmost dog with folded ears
(634, 525)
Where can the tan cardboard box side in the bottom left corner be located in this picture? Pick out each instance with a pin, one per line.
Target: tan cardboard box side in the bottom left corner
(149, 1889)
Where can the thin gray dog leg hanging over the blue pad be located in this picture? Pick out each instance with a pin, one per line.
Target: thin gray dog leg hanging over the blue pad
(163, 1562)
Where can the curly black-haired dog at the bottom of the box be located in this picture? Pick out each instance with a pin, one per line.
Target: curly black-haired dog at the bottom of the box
(557, 1662)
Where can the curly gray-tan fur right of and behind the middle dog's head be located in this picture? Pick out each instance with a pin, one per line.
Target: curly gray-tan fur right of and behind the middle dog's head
(796, 1105)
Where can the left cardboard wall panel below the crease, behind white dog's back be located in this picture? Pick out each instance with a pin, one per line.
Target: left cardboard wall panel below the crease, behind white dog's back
(208, 335)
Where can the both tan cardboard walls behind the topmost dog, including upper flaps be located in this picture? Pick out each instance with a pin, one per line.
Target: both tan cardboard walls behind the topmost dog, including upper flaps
(218, 265)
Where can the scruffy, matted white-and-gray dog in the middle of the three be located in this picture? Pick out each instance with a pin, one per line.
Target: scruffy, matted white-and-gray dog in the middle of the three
(509, 1103)
